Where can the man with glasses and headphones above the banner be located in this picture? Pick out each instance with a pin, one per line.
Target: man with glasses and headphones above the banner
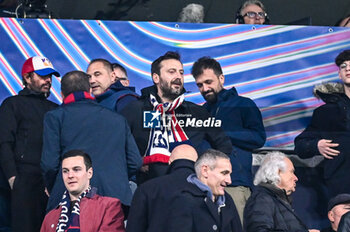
(252, 12)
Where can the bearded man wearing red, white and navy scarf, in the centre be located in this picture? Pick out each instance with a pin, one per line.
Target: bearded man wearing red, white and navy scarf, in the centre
(162, 119)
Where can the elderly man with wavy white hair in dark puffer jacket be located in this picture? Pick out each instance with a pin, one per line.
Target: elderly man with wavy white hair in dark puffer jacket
(269, 207)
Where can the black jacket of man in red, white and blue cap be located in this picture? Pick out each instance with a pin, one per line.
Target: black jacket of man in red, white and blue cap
(21, 131)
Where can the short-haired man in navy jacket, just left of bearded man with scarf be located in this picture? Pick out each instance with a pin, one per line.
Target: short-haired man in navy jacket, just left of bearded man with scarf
(107, 87)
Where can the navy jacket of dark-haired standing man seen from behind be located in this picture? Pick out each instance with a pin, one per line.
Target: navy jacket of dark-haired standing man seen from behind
(100, 132)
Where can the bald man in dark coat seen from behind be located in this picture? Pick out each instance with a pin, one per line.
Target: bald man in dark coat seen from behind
(151, 199)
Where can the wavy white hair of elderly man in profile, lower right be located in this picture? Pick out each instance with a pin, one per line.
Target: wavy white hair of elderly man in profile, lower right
(268, 171)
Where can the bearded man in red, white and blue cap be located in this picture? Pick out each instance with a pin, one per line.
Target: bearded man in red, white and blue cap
(21, 126)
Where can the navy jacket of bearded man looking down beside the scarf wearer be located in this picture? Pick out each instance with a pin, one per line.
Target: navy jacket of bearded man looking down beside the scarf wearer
(242, 123)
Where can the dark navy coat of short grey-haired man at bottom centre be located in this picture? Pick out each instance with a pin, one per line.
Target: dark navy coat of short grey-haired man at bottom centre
(192, 211)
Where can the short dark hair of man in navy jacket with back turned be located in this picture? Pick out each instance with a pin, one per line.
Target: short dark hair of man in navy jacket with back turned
(75, 81)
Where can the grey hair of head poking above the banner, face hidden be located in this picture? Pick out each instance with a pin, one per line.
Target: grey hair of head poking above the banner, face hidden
(192, 13)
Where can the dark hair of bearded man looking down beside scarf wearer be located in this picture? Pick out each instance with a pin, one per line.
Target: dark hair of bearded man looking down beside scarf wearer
(203, 63)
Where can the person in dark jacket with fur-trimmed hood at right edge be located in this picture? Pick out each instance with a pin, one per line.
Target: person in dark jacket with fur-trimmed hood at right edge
(328, 133)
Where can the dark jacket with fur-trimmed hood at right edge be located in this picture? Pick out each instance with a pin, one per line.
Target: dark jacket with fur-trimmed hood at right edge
(329, 121)
